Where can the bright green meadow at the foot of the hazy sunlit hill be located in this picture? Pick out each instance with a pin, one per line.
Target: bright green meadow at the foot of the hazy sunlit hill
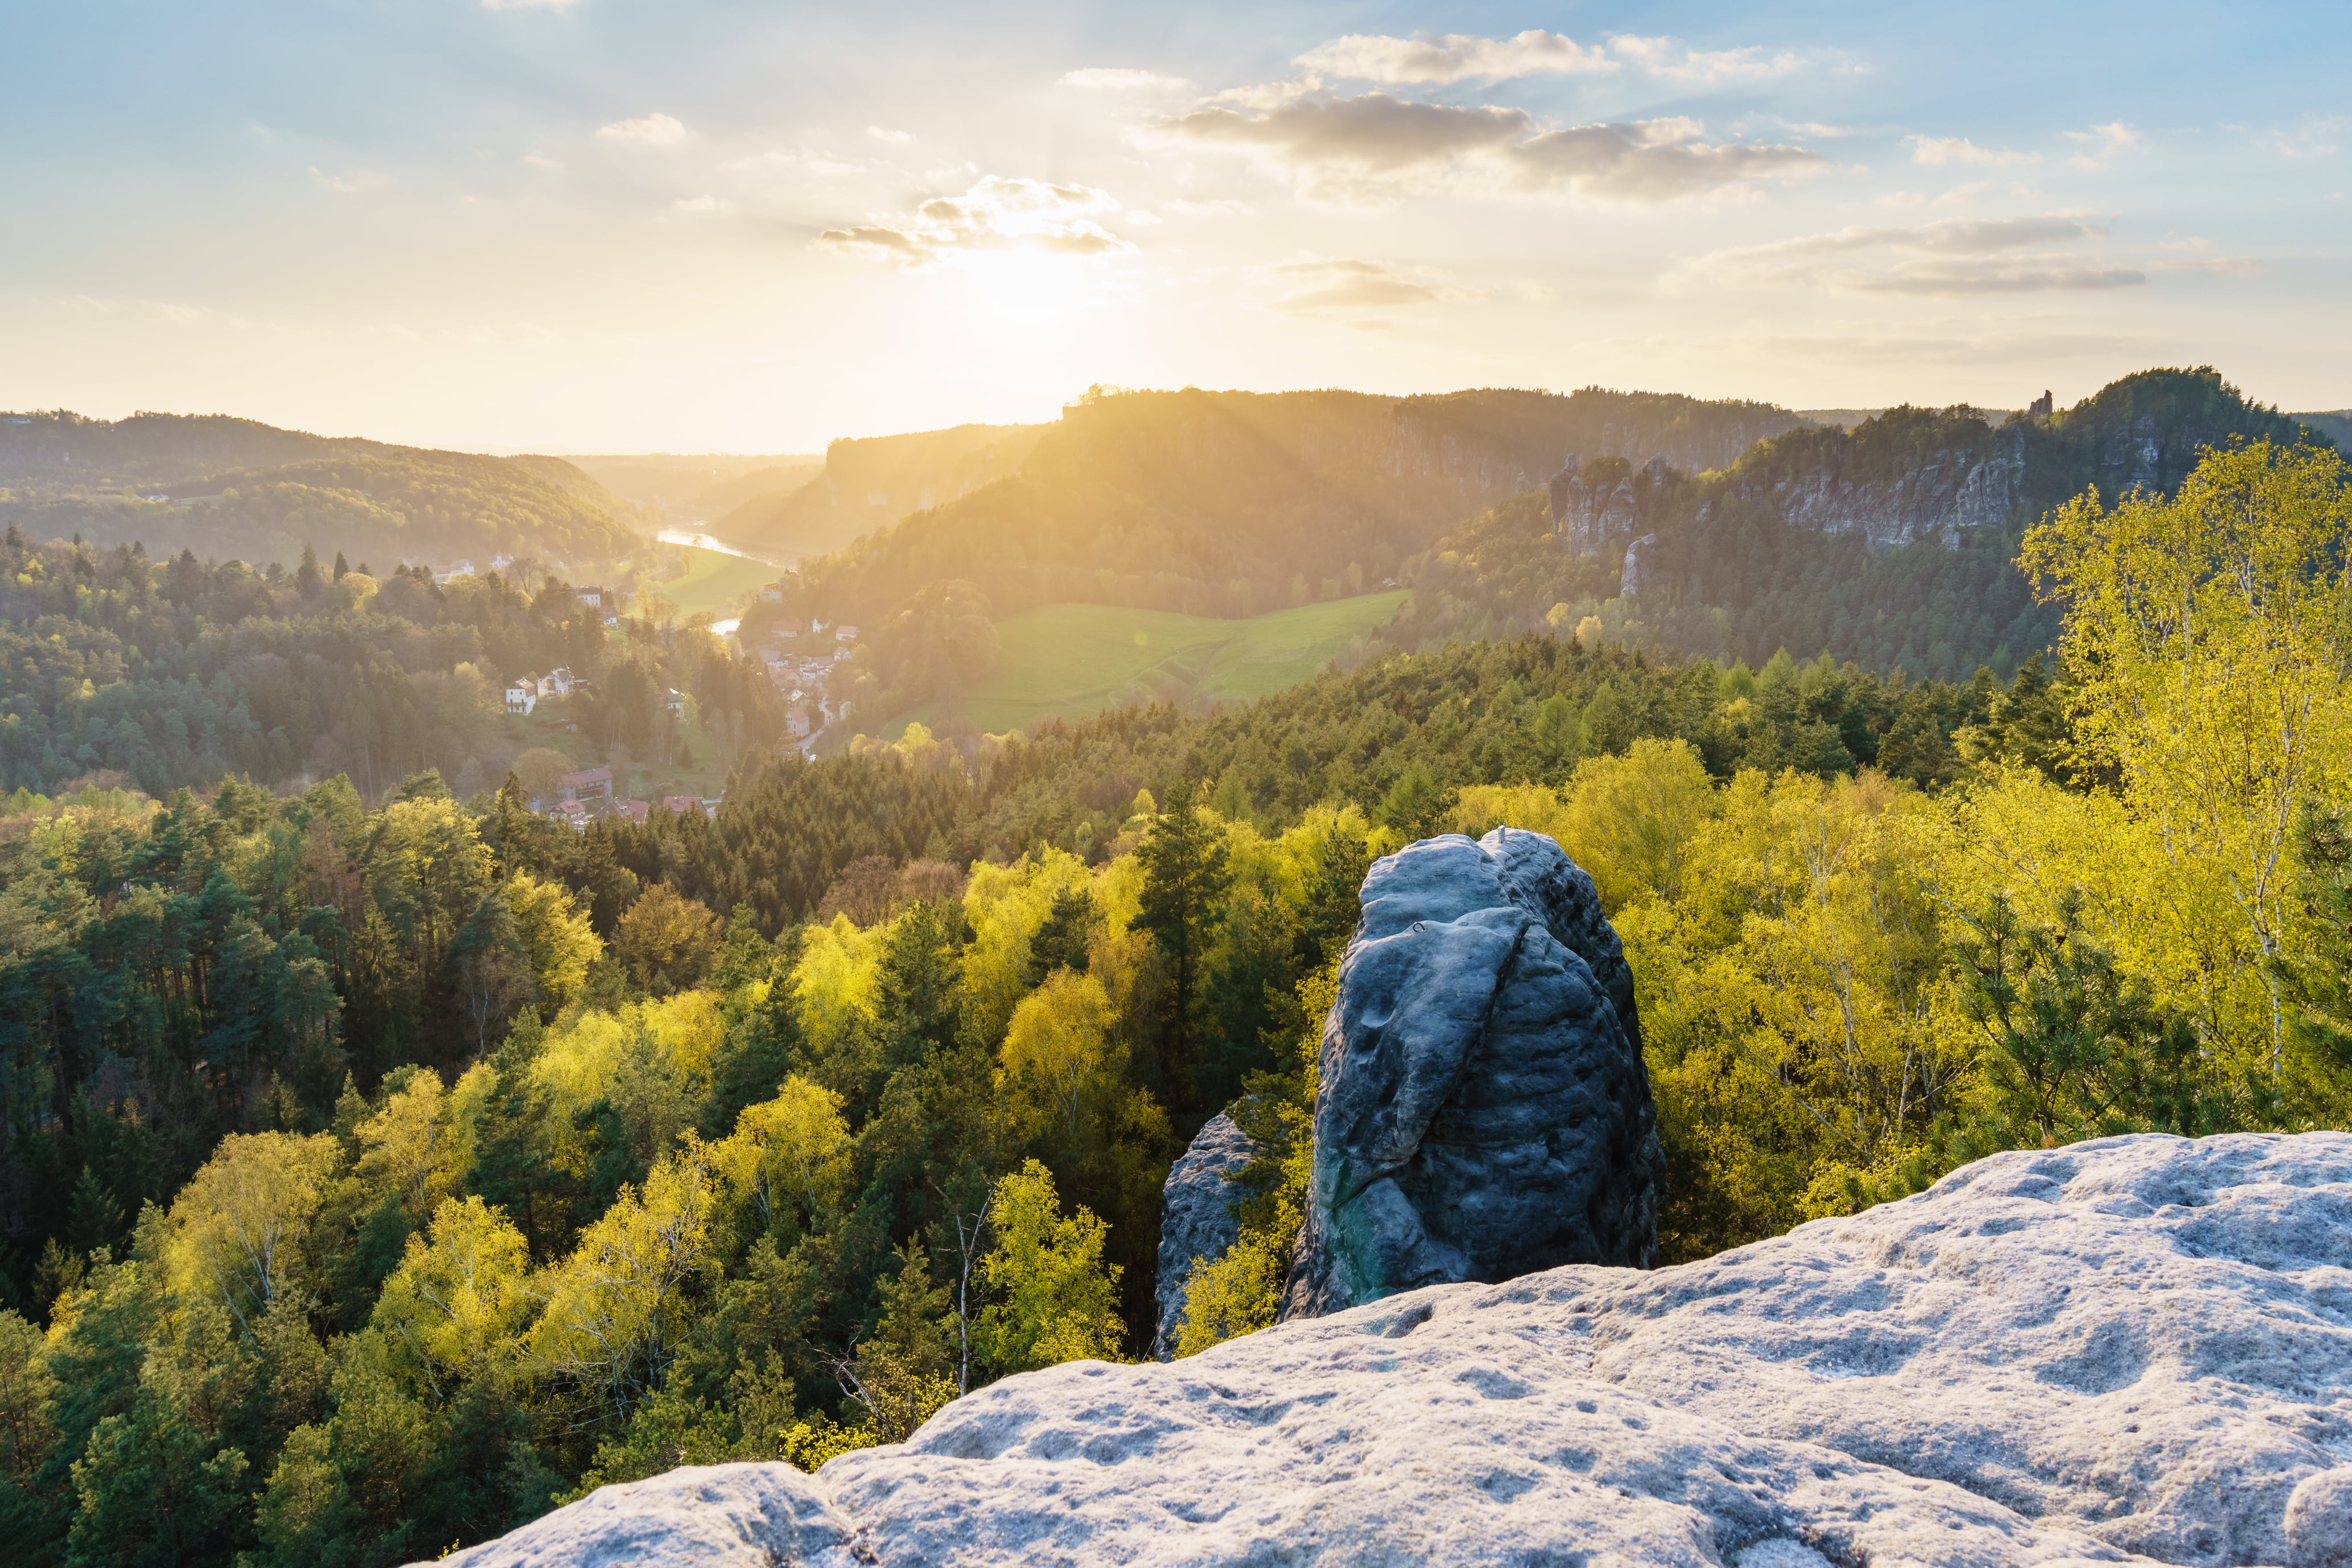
(1078, 659)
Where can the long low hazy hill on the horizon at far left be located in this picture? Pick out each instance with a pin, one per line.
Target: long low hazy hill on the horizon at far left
(234, 488)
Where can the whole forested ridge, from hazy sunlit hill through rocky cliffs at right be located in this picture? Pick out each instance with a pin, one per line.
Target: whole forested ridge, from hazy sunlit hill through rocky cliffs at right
(1716, 530)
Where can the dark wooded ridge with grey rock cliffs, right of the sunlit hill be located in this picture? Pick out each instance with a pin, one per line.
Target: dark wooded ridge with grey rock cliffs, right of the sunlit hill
(1892, 544)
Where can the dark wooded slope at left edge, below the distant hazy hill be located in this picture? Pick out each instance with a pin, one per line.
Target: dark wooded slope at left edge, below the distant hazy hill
(182, 671)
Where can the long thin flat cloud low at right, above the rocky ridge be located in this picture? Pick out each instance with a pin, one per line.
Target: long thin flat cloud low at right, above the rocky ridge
(1946, 257)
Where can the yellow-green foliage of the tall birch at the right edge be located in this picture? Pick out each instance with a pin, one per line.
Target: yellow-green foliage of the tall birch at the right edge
(2212, 638)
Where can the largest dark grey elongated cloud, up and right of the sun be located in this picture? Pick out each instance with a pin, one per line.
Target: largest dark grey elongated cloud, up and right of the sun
(1377, 147)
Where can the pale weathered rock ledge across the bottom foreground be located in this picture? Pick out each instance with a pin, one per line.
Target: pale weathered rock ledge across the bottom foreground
(2139, 1346)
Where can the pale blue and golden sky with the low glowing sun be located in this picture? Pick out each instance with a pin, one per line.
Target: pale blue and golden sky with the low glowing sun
(726, 227)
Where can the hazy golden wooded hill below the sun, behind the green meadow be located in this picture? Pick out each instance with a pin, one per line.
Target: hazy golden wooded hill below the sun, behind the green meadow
(1231, 504)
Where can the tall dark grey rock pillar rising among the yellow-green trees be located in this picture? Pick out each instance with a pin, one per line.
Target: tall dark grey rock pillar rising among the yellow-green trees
(1483, 1106)
